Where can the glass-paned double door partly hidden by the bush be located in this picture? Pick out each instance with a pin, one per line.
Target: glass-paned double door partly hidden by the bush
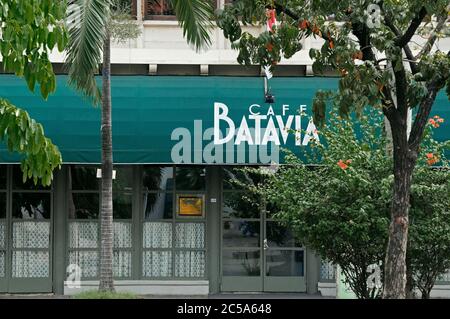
(259, 254)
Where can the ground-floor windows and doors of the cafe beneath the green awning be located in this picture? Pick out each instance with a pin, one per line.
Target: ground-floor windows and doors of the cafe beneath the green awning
(177, 230)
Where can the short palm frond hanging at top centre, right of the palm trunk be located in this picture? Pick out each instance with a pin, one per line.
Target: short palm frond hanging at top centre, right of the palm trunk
(195, 17)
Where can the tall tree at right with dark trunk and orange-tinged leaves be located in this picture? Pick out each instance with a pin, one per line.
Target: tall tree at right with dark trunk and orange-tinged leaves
(370, 45)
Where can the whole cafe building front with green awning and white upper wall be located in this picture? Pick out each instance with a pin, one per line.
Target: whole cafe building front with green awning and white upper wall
(181, 225)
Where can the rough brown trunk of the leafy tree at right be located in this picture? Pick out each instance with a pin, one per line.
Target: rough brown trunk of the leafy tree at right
(395, 265)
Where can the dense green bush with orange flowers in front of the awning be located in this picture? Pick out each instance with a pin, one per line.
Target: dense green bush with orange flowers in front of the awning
(340, 208)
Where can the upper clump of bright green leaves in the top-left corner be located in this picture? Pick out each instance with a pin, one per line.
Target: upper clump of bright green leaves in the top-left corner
(30, 29)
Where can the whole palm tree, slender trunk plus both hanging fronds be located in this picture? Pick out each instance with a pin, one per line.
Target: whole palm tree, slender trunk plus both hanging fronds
(89, 46)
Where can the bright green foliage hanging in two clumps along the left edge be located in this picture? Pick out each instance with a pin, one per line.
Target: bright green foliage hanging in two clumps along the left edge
(30, 29)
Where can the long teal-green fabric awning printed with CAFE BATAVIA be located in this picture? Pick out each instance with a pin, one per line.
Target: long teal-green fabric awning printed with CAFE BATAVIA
(191, 120)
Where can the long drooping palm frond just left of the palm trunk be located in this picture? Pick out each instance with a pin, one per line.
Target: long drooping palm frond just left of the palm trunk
(87, 32)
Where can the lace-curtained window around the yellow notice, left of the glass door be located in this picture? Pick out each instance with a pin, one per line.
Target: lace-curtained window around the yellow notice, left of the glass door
(173, 245)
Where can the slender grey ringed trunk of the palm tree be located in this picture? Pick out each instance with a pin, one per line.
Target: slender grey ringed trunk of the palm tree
(106, 255)
